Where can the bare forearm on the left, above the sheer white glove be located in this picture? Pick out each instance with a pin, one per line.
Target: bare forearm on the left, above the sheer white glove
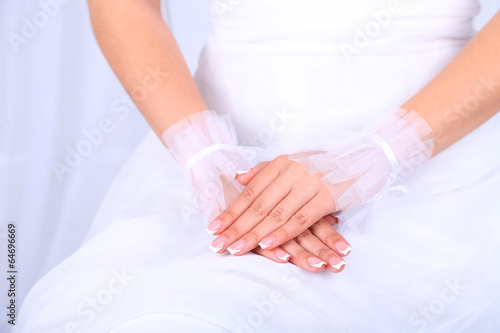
(145, 57)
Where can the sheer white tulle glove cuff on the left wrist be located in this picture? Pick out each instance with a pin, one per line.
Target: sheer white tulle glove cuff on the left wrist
(205, 146)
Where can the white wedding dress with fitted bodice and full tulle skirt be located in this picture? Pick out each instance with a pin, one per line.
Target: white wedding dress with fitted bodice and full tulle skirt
(289, 72)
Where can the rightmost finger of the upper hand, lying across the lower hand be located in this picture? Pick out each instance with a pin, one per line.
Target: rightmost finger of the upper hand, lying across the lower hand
(305, 217)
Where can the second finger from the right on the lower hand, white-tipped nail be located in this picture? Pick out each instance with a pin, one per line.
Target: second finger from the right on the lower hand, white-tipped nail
(315, 246)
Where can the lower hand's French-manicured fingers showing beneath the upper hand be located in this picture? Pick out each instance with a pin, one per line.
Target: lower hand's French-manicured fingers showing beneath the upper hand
(312, 250)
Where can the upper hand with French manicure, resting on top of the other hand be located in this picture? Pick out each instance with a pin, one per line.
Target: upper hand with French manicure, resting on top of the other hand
(280, 202)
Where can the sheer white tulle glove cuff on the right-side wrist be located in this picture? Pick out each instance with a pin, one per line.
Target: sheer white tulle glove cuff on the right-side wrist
(360, 167)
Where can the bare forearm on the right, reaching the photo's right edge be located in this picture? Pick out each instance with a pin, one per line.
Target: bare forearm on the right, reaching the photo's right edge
(466, 93)
